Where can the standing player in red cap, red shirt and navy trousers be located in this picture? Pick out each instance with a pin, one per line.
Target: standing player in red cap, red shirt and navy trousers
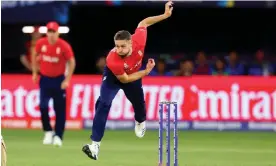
(54, 53)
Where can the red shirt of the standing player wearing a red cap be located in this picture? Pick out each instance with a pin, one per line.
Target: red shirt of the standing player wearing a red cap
(53, 58)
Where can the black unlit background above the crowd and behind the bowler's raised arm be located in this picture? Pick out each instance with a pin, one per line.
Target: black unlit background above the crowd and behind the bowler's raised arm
(189, 30)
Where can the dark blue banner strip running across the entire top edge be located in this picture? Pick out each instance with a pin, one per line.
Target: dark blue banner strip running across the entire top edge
(42, 11)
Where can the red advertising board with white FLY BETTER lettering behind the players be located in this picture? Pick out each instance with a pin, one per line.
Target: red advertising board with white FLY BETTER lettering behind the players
(203, 102)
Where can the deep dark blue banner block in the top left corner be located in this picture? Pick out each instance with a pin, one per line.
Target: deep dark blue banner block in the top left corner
(34, 11)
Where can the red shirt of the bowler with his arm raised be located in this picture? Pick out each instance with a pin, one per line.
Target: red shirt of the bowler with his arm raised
(132, 63)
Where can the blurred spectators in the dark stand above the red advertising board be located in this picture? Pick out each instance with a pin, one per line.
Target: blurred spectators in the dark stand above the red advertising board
(199, 64)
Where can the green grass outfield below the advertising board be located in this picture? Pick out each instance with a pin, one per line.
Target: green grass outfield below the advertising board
(122, 148)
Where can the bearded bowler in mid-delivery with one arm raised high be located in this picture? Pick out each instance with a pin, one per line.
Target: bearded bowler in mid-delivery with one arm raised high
(122, 72)
